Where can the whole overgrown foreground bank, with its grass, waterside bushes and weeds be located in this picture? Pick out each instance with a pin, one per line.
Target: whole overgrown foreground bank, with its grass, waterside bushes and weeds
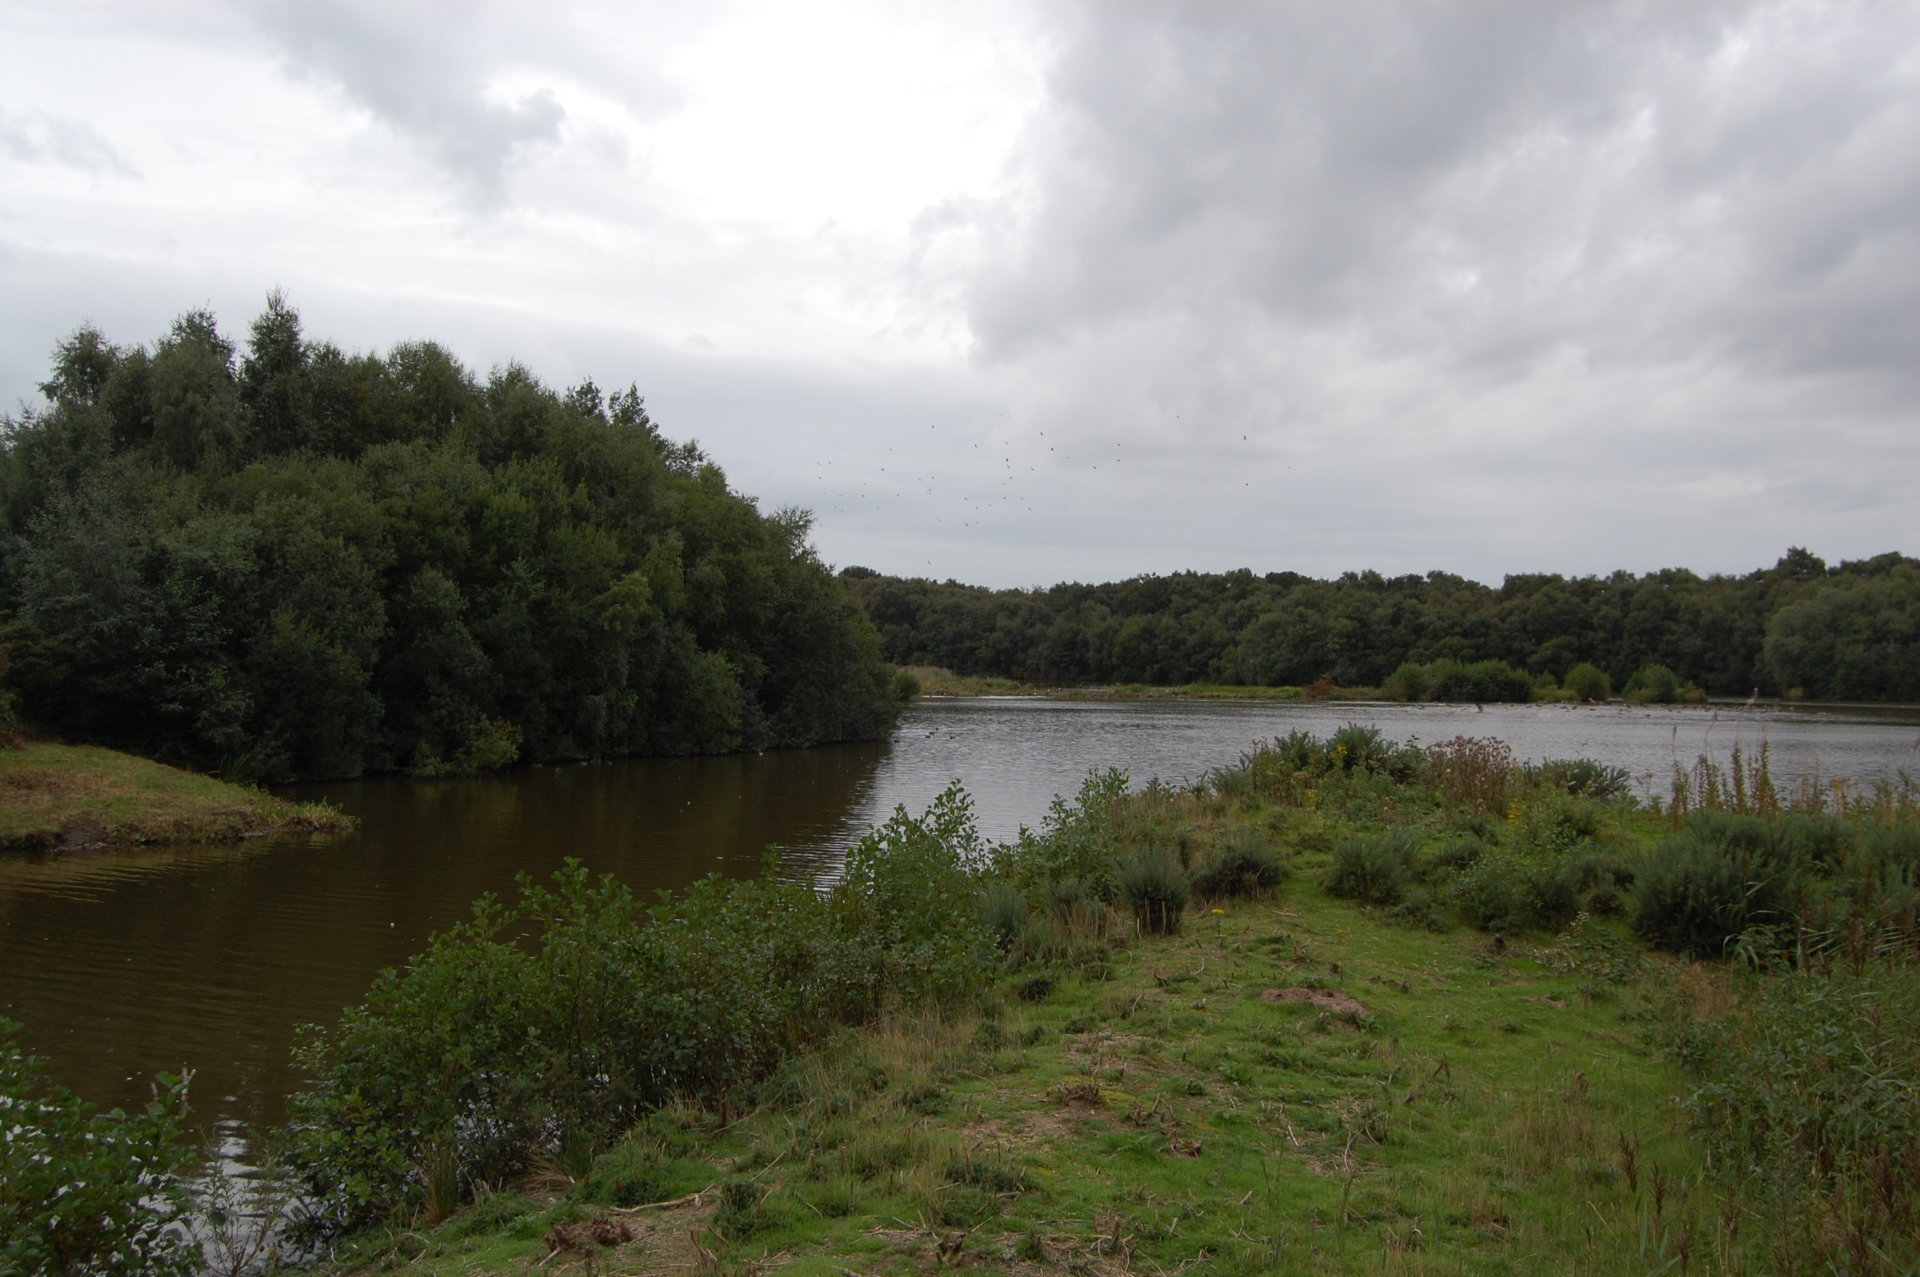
(1349, 1007)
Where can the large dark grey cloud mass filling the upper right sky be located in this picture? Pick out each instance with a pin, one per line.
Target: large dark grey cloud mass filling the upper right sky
(1481, 183)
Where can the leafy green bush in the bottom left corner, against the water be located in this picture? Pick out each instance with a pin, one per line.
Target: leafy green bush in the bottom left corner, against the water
(84, 1192)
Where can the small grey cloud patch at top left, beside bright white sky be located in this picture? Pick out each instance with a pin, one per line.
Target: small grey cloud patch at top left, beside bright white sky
(425, 72)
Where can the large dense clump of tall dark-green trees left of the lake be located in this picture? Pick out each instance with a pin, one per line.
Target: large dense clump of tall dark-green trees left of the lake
(295, 562)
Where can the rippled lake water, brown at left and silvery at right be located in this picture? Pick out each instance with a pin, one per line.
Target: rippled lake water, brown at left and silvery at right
(124, 965)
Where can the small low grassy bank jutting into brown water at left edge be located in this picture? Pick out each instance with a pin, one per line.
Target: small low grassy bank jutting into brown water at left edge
(82, 796)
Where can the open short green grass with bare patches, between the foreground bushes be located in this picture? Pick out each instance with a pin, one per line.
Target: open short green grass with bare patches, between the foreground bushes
(1487, 1113)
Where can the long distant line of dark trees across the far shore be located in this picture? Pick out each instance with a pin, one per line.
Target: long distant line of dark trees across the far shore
(1846, 633)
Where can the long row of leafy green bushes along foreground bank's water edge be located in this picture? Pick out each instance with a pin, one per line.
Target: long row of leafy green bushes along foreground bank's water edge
(491, 1051)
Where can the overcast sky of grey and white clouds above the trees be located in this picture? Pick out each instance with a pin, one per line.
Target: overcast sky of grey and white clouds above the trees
(1042, 293)
